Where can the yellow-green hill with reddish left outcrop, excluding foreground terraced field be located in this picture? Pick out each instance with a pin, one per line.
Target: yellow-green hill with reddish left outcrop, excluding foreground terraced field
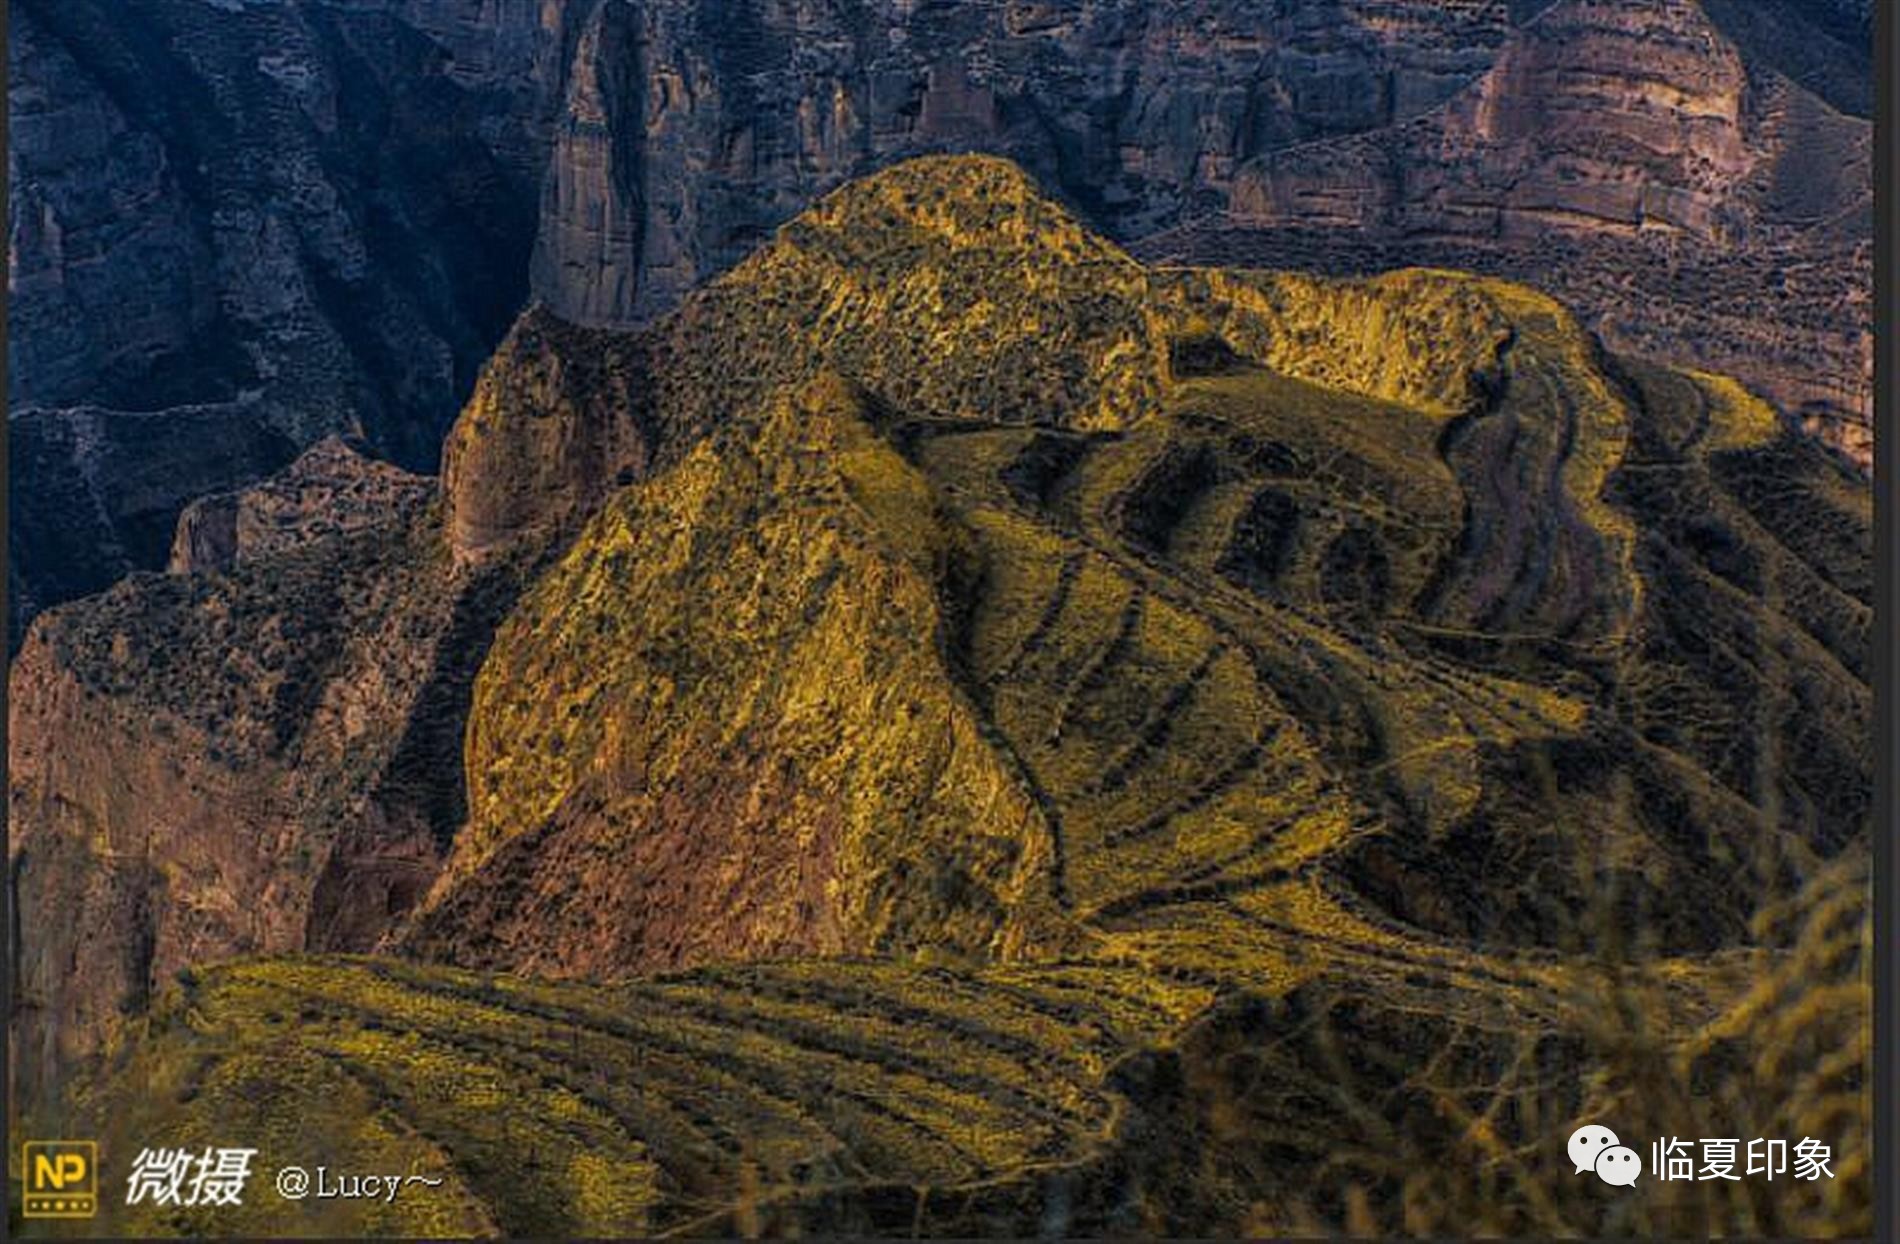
(945, 586)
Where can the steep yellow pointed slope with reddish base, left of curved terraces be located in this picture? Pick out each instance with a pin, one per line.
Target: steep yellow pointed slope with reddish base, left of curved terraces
(727, 709)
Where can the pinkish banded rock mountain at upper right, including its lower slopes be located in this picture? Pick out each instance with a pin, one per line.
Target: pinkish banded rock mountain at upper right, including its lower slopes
(1688, 198)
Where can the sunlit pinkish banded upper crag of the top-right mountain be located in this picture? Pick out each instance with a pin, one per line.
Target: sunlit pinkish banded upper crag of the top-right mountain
(1595, 119)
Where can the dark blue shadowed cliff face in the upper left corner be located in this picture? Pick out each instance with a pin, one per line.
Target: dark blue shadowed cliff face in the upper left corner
(238, 229)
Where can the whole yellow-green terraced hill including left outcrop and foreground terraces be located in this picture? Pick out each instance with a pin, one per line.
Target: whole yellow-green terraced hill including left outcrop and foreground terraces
(886, 744)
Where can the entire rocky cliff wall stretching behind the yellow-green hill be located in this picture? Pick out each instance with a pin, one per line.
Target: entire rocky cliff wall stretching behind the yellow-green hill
(318, 219)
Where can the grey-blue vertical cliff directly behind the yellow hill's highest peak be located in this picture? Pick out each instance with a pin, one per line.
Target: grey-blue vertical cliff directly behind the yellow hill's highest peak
(694, 128)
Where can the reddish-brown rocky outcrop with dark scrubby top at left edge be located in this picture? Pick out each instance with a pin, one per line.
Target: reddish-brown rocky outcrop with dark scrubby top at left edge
(219, 764)
